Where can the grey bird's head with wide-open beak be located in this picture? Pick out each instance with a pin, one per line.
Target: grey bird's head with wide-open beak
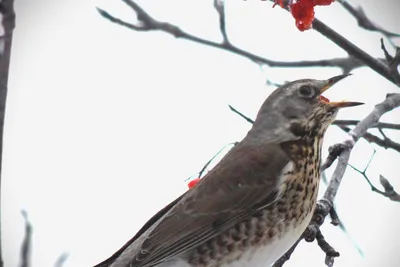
(298, 109)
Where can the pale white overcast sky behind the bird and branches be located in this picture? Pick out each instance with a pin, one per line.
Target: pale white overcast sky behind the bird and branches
(104, 124)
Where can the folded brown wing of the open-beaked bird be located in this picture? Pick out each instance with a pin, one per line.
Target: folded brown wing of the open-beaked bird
(245, 180)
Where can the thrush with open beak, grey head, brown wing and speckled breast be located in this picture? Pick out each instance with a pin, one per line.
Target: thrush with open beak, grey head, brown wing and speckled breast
(257, 200)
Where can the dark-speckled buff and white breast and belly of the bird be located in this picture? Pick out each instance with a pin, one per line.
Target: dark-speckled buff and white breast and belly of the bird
(262, 238)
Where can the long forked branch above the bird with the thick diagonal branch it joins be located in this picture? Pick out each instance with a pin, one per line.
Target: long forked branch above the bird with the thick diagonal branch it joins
(357, 58)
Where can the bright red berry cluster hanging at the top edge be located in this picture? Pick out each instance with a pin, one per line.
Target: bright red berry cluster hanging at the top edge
(303, 11)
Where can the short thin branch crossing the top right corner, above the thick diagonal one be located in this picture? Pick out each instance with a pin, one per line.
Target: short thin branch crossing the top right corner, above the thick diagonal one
(364, 22)
